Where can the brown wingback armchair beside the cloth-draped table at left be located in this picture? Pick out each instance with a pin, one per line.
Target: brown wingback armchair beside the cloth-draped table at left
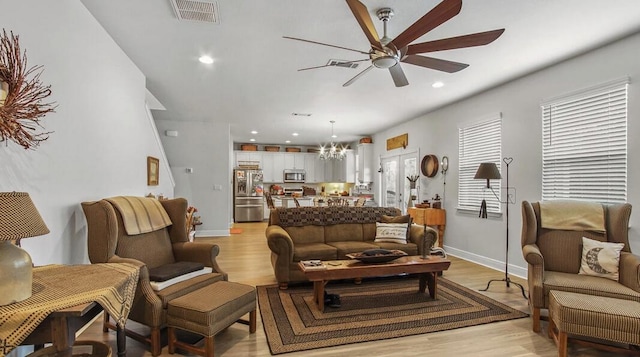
(109, 241)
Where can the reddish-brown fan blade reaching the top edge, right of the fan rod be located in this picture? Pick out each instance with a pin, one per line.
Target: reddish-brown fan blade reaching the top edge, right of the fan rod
(434, 18)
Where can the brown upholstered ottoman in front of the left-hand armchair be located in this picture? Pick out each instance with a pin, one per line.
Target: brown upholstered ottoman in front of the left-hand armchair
(209, 310)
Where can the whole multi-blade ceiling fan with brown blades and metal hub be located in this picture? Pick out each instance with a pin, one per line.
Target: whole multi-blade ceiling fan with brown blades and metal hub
(388, 53)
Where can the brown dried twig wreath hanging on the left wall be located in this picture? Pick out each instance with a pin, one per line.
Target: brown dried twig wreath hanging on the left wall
(23, 106)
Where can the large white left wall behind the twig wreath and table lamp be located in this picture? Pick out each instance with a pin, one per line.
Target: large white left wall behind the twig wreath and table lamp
(102, 135)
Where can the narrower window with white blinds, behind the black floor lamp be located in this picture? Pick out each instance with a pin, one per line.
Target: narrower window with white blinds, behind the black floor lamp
(479, 142)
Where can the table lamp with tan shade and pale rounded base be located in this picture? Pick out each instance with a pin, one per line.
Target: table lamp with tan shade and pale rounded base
(19, 219)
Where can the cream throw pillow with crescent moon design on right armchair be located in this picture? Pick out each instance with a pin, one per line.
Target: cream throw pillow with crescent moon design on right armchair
(600, 258)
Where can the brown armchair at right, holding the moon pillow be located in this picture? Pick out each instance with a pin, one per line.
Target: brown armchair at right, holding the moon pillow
(554, 255)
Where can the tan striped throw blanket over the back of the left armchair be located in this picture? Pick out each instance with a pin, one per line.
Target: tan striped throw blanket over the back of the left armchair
(141, 214)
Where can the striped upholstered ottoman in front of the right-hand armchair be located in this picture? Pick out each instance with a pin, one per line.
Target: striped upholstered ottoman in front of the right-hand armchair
(593, 316)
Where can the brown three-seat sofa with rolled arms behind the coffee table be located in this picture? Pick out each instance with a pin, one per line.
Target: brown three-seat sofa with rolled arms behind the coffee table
(329, 233)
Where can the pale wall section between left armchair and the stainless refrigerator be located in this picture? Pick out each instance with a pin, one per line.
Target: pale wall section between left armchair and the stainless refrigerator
(204, 147)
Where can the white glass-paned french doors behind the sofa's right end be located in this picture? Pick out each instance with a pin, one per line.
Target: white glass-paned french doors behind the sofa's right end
(395, 186)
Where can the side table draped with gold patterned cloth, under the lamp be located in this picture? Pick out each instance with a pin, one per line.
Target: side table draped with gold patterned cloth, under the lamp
(63, 291)
